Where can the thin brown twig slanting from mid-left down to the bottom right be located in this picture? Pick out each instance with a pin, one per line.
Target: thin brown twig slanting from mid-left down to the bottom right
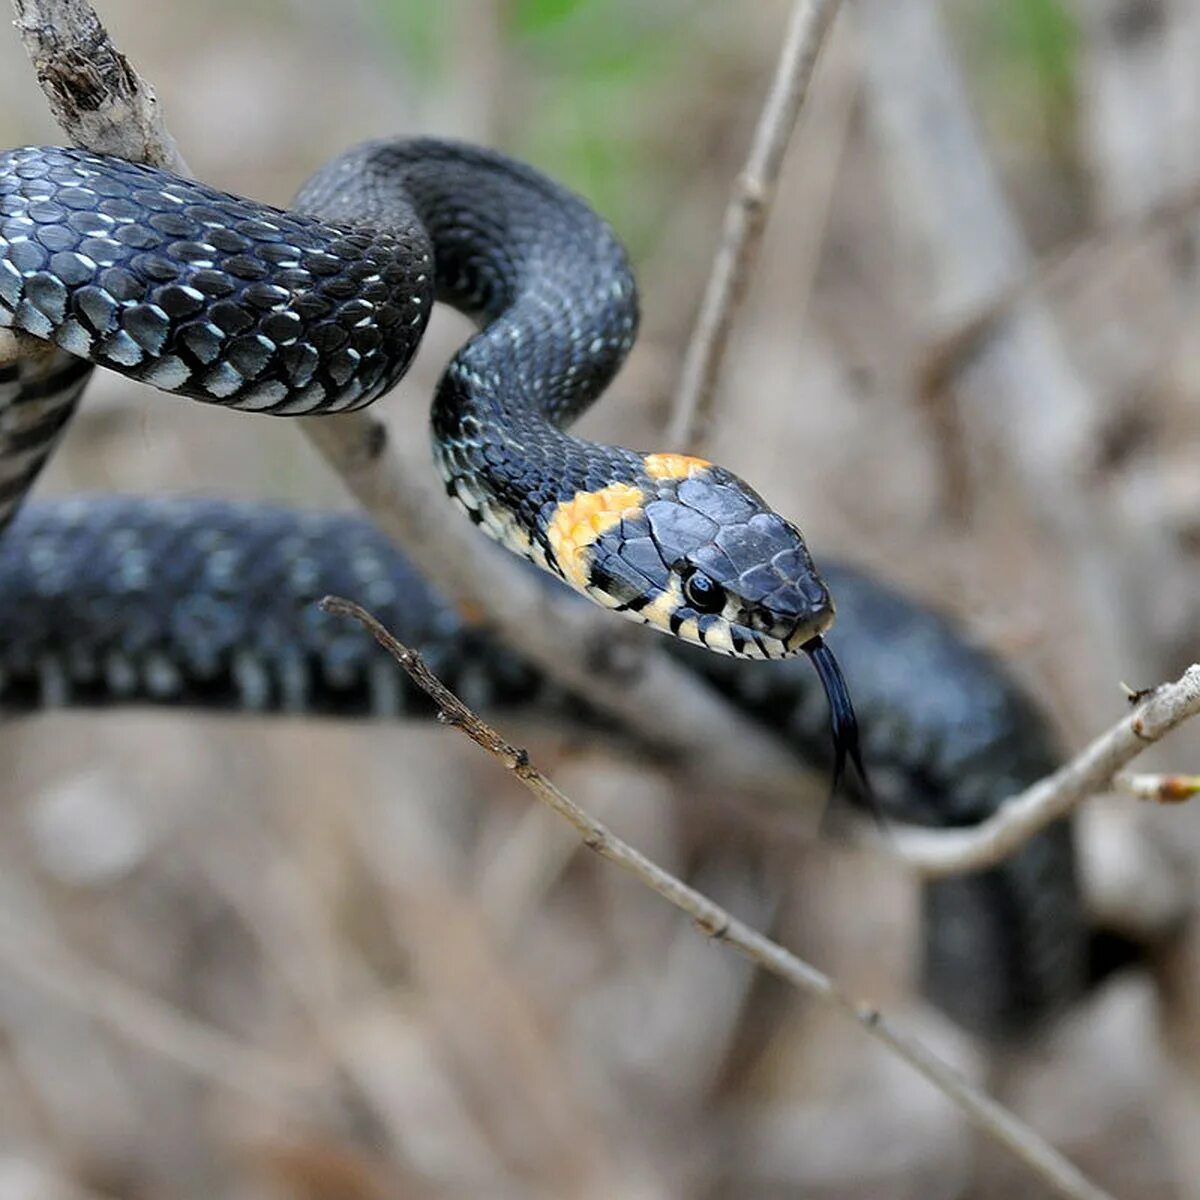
(715, 922)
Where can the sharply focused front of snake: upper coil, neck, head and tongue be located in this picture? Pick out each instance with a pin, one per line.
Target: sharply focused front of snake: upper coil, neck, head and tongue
(321, 310)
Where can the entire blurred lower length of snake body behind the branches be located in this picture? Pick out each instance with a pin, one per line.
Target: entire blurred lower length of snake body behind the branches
(211, 604)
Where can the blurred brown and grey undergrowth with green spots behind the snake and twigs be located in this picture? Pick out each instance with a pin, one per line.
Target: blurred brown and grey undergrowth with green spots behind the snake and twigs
(274, 959)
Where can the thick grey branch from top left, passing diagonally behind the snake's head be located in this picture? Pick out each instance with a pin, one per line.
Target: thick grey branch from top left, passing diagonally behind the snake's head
(669, 709)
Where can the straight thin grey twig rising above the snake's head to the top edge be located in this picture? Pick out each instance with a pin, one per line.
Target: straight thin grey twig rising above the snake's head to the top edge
(746, 217)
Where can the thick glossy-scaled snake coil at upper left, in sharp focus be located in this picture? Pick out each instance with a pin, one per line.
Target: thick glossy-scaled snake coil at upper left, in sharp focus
(188, 289)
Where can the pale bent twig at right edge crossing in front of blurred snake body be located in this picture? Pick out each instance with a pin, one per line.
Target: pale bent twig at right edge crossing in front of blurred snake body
(940, 853)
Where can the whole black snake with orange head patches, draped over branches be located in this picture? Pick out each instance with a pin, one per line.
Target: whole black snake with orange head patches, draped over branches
(320, 309)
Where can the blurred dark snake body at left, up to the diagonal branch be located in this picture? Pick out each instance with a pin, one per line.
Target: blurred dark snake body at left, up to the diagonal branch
(206, 604)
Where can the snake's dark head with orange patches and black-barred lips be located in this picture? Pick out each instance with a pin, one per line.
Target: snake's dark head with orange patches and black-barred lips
(694, 551)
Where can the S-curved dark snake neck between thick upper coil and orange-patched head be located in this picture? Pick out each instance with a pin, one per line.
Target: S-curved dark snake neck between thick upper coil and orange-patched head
(550, 287)
